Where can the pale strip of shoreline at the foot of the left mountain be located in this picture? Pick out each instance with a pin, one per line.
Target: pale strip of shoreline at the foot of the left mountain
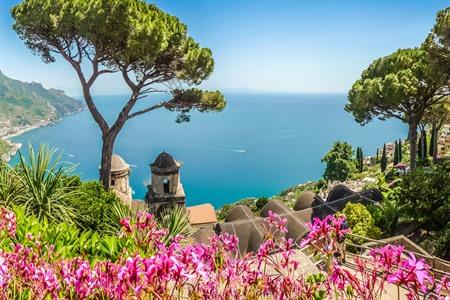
(13, 132)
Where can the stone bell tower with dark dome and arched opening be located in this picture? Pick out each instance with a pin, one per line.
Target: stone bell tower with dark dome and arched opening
(165, 188)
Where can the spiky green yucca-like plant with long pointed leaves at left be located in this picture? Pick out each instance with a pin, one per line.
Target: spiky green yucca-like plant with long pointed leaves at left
(45, 186)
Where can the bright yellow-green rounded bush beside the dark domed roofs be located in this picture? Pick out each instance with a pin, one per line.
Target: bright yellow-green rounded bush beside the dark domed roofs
(361, 222)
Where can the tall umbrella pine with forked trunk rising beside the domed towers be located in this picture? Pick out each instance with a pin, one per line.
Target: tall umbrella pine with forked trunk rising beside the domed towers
(149, 48)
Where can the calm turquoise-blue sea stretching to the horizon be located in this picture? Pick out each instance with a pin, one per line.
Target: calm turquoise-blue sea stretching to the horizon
(259, 145)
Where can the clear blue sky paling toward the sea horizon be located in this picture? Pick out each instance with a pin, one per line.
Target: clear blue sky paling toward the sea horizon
(290, 46)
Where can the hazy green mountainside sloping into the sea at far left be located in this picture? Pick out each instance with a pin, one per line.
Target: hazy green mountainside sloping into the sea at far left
(28, 104)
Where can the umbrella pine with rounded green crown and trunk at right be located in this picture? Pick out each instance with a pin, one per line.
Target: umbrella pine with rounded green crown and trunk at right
(394, 86)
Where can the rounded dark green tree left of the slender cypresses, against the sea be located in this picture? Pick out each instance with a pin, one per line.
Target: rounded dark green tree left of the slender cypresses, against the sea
(340, 162)
